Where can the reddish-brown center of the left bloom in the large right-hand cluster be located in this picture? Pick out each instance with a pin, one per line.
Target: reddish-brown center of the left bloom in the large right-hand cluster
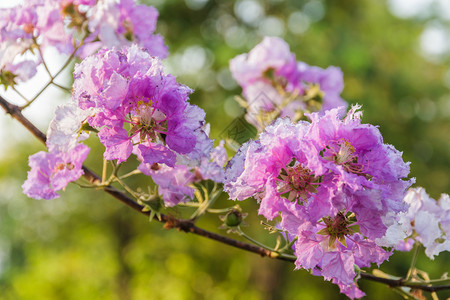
(296, 182)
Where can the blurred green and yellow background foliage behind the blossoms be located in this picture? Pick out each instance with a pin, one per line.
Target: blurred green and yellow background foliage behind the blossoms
(86, 245)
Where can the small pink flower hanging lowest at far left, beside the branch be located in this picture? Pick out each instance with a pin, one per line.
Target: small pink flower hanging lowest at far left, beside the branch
(52, 171)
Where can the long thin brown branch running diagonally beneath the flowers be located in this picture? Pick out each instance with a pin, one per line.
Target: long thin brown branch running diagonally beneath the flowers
(187, 225)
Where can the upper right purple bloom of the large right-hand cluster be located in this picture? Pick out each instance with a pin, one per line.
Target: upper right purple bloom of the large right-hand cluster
(368, 174)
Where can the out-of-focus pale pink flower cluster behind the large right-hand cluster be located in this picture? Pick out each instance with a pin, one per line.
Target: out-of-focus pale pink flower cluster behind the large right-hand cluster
(276, 85)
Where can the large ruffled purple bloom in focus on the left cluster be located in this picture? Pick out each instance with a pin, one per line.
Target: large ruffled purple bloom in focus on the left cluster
(140, 109)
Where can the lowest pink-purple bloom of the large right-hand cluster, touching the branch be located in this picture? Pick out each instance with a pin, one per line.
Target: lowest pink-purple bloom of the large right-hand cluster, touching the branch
(332, 248)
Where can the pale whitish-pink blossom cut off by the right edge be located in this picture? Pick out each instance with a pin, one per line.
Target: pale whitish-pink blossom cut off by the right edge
(426, 221)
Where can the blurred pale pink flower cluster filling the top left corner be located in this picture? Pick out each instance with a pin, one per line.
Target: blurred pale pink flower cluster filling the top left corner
(78, 27)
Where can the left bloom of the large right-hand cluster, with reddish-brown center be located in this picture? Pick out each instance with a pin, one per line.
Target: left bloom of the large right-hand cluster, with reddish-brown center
(275, 170)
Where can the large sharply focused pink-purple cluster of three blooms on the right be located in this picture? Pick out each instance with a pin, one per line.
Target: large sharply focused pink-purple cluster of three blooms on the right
(333, 181)
